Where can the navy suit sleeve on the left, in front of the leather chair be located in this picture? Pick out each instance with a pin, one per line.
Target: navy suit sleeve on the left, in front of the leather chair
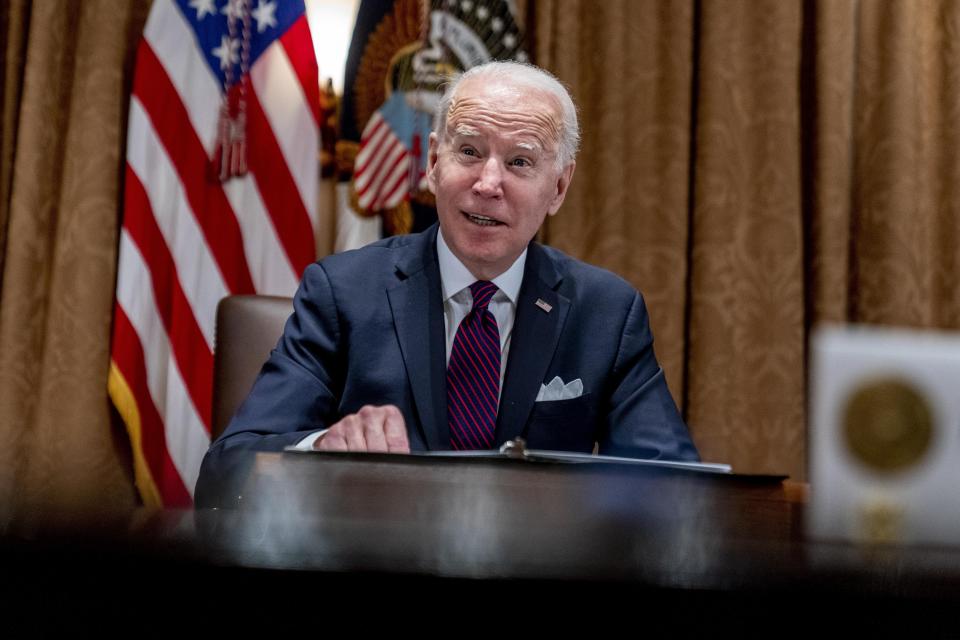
(297, 392)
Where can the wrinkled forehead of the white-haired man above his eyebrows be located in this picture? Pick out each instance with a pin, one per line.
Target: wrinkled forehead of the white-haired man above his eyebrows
(494, 105)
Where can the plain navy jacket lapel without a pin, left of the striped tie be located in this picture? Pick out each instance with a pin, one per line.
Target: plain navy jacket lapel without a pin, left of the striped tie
(418, 288)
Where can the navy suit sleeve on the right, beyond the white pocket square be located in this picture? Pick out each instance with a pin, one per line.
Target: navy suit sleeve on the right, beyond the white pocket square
(642, 419)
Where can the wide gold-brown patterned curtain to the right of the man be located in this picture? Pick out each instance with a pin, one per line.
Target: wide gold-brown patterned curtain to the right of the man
(757, 167)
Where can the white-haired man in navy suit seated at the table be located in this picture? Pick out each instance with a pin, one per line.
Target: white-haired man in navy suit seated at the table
(469, 334)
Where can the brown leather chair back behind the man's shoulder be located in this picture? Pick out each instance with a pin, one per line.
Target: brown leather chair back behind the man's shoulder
(248, 328)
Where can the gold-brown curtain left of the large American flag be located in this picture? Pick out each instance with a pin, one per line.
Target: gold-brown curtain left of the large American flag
(66, 75)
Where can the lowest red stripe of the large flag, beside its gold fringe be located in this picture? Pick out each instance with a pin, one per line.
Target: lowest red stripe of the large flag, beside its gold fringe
(129, 358)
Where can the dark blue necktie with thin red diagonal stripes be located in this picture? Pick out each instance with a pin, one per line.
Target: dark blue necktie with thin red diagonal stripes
(473, 375)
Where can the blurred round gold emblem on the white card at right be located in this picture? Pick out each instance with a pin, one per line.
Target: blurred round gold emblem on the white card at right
(887, 425)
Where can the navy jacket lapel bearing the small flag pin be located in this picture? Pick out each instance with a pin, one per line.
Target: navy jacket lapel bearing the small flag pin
(536, 333)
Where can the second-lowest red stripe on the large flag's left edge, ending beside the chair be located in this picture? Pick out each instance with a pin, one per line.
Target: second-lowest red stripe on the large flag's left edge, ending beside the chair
(194, 358)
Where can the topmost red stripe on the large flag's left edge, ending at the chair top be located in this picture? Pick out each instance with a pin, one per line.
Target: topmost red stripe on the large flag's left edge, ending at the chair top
(206, 197)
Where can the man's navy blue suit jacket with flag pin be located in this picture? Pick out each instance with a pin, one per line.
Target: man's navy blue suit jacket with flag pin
(367, 328)
